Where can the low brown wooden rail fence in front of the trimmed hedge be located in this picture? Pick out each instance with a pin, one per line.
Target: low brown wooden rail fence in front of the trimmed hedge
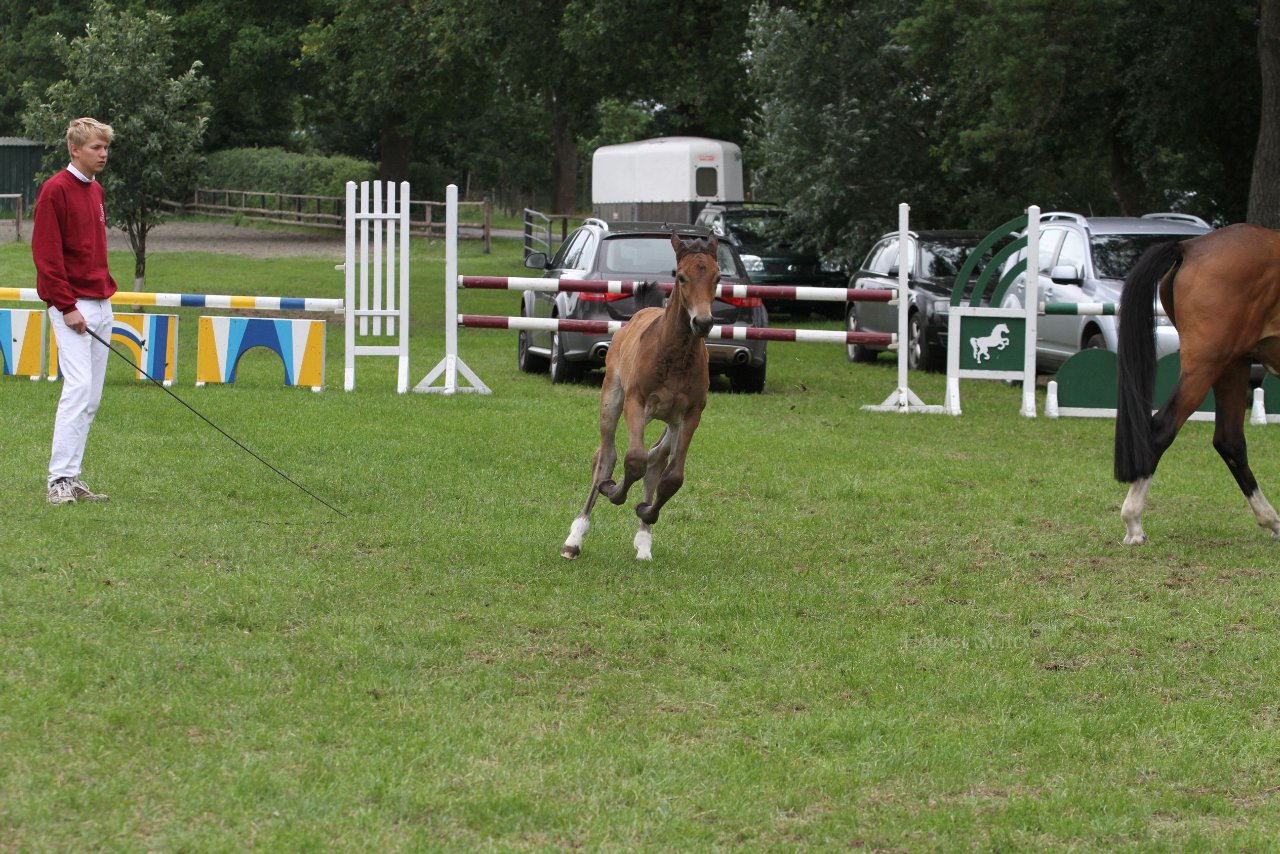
(427, 218)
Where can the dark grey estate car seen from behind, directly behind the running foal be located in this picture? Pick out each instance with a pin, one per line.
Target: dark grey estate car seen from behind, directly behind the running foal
(636, 253)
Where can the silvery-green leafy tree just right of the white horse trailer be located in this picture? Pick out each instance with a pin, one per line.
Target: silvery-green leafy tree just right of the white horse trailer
(844, 133)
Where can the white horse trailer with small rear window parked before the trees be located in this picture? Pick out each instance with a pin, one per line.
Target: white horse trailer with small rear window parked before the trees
(665, 180)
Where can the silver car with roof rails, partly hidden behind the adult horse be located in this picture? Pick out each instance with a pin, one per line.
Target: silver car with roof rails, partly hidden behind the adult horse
(1086, 259)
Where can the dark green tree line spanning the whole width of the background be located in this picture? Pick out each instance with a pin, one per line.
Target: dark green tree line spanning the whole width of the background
(968, 109)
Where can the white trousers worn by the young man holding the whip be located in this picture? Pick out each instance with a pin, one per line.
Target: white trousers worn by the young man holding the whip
(84, 367)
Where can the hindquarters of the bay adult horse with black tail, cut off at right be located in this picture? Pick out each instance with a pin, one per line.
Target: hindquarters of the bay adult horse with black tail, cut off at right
(1222, 291)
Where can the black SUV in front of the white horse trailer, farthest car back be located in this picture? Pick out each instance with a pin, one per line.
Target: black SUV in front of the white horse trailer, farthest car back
(758, 234)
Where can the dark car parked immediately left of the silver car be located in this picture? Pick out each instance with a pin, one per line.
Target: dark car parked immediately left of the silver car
(934, 262)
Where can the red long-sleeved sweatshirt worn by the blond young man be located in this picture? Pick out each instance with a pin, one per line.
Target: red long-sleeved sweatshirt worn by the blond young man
(68, 243)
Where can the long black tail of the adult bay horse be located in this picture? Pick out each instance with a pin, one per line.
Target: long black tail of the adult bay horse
(1136, 353)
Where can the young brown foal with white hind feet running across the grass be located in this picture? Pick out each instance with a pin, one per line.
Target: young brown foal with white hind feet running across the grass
(656, 369)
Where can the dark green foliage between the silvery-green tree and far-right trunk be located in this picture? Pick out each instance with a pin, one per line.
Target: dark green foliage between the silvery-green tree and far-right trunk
(1099, 106)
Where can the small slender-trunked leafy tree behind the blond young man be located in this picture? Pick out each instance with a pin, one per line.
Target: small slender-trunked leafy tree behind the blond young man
(118, 74)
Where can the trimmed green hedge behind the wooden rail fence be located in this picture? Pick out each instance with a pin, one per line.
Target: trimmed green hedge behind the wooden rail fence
(285, 172)
